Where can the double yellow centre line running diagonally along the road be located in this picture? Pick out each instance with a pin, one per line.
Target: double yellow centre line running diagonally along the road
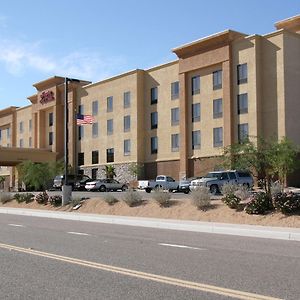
(148, 276)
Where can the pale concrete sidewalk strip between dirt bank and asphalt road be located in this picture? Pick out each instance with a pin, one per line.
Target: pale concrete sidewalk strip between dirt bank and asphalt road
(282, 233)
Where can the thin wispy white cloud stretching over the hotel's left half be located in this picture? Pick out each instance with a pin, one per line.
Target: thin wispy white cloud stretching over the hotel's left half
(19, 58)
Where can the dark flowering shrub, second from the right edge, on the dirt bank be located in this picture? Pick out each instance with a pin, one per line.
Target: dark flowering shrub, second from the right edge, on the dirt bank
(259, 204)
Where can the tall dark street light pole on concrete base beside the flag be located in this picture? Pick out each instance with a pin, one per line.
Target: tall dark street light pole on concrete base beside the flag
(66, 189)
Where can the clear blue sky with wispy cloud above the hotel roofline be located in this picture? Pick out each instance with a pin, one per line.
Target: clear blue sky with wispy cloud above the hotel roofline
(93, 40)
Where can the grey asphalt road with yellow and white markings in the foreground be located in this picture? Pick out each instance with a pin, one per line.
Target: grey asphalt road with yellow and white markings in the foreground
(44, 258)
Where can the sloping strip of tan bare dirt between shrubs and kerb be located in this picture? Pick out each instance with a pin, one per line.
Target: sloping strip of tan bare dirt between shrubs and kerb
(181, 209)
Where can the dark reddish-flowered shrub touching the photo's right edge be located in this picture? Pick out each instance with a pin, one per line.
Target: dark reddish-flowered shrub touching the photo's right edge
(286, 203)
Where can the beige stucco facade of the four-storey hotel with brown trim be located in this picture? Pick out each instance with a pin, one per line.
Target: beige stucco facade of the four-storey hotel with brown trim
(263, 99)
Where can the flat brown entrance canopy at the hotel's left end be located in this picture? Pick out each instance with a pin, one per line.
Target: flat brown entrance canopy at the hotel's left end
(12, 156)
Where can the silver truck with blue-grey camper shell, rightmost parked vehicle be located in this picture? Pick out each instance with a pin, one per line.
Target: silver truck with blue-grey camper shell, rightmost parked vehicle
(215, 180)
